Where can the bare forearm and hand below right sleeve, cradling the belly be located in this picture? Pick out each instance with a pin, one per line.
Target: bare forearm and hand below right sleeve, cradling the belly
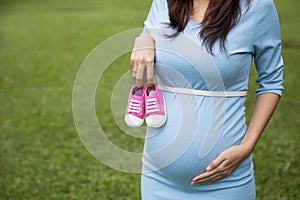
(230, 159)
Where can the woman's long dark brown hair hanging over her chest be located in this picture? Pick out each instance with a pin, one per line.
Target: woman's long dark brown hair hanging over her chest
(220, 17)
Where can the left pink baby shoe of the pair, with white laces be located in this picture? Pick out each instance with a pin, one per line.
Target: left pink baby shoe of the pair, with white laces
(135, 111)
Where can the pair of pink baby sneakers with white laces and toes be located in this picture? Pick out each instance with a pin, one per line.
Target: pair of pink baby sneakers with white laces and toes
(145, 103)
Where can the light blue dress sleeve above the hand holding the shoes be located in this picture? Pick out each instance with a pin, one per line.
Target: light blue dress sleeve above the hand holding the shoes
(157, 14)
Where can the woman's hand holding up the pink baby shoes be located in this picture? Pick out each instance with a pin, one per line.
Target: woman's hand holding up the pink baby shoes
(142, 57)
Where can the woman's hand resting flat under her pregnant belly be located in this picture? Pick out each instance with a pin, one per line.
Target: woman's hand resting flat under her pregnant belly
(223, 165)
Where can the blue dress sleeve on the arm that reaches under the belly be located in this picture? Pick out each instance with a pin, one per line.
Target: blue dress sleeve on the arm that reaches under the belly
(267, 49)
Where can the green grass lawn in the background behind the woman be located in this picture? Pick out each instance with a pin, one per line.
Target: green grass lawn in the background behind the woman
(42, 45)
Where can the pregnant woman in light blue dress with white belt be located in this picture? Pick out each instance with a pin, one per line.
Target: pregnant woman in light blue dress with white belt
(203, 51)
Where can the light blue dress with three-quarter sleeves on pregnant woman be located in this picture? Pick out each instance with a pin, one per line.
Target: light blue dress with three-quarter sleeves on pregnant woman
(199, 128)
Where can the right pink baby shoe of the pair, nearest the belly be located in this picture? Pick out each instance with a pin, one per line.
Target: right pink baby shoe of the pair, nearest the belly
(155, 107)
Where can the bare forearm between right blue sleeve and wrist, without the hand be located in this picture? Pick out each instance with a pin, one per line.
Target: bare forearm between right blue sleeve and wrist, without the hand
(263, 109)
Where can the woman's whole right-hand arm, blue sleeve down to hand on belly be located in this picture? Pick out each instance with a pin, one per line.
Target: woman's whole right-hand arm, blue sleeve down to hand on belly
(269, 65)
